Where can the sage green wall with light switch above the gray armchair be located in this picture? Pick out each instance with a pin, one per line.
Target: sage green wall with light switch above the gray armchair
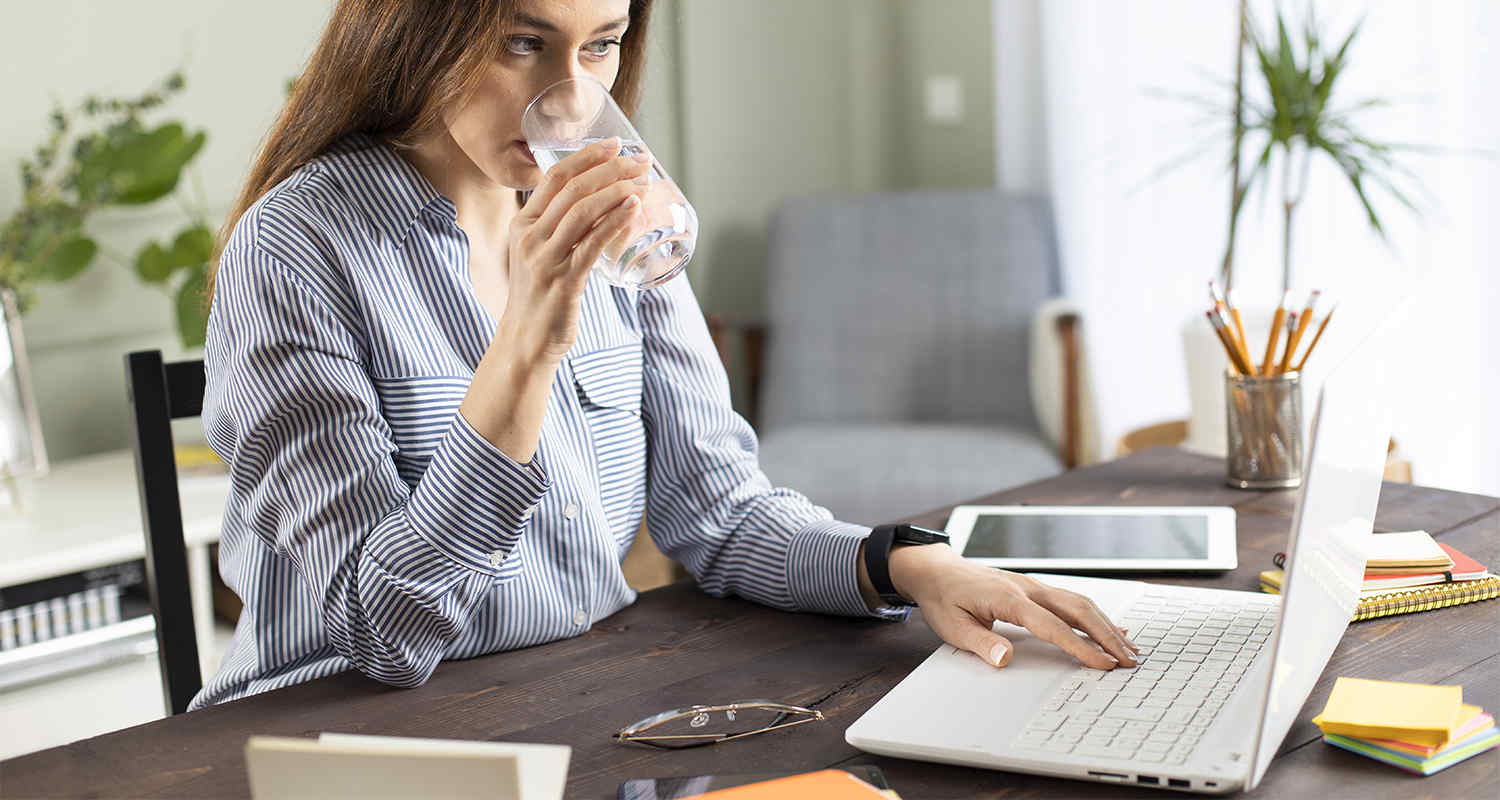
(782, 98)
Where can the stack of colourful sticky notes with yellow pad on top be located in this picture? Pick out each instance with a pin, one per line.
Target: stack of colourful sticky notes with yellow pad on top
(1417, 727)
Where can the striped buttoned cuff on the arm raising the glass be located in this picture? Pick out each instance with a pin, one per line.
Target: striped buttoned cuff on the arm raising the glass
(475, 501)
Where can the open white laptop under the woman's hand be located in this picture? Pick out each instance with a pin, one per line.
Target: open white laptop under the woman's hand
(1223, 675)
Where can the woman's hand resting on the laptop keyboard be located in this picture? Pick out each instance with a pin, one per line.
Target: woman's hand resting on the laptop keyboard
(962, 601)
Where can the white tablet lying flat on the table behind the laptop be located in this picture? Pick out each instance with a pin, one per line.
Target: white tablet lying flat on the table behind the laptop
(1097, 538)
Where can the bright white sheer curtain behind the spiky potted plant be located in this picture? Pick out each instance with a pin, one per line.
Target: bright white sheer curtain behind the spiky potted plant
(1082, 118)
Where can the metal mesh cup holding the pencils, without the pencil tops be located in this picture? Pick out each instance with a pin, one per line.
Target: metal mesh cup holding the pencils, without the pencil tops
(1265, 432)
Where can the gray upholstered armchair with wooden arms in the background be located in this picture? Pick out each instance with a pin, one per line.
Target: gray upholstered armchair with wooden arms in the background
(898, 352)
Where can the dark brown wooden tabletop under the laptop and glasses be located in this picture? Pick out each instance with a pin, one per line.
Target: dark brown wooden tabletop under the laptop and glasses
(679, 646)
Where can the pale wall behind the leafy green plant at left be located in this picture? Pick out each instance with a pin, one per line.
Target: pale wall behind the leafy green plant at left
(238, 58)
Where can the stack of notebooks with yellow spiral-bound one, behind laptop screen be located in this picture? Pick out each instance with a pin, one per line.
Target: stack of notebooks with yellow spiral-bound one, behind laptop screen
(1411, 573)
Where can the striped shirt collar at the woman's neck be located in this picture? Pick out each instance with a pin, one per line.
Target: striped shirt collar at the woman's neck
(386, 187)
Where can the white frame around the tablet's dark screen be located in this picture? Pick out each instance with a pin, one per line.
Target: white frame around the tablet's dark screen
(1222, 540)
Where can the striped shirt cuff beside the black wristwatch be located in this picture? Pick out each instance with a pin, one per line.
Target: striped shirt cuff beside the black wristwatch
(823, 571)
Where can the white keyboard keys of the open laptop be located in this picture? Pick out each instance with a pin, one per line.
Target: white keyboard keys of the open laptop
(1193, 654)
